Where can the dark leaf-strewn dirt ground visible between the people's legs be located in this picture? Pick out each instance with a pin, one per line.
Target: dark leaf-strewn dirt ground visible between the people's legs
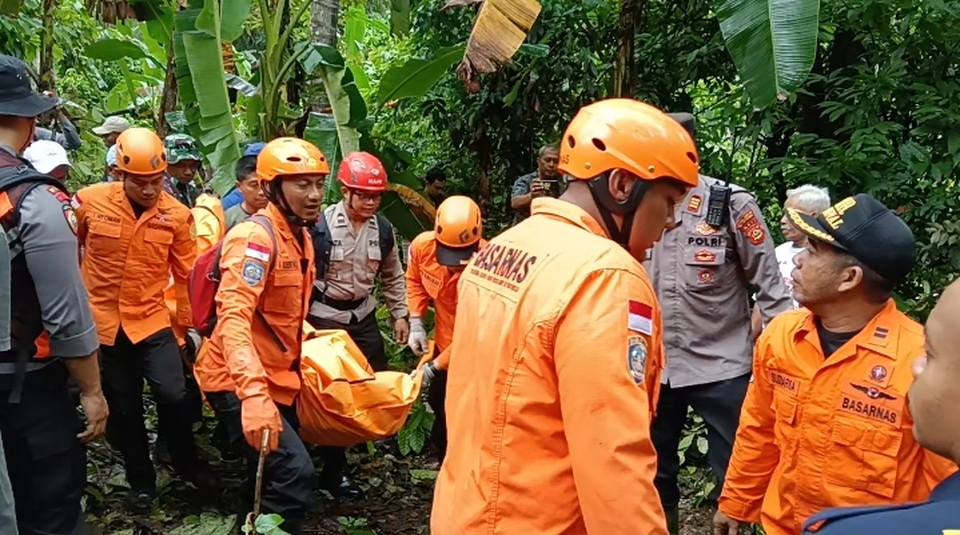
(396, 500)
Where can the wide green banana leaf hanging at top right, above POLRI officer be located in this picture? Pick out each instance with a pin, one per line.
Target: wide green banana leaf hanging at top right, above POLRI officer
(773, 44)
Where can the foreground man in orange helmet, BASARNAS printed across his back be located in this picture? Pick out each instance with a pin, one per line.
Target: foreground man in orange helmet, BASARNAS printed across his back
(557, 350)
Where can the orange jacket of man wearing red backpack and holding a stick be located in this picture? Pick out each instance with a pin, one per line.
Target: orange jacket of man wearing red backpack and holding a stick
(262, 301)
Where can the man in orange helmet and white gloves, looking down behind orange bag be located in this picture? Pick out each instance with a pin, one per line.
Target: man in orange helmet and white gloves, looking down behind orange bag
(437, 258)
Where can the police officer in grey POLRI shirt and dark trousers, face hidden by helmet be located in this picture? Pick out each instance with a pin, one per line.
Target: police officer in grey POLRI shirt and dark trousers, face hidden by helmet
(704, 276)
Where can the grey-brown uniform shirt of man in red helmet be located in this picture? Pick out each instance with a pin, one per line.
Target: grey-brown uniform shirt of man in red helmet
(354, 265)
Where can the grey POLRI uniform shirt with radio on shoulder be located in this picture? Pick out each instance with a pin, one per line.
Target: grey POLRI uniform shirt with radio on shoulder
(704, 276)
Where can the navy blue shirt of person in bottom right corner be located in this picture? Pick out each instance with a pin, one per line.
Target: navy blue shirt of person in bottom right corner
(940, 515)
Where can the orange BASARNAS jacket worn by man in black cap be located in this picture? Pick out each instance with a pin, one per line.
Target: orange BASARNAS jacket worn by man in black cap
(821, 432)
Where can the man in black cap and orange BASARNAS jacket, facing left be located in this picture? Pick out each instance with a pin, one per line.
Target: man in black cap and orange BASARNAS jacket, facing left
(825, 422)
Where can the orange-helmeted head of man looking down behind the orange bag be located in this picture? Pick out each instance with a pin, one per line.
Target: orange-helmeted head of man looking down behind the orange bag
(458, 229)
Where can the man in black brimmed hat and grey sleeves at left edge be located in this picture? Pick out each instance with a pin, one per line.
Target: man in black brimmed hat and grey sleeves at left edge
(42, 433)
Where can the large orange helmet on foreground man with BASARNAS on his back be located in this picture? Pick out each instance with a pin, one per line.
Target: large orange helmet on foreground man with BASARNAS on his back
(627, 134)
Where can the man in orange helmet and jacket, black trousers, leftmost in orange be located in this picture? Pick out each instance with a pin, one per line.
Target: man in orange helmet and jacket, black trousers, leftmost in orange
(134, 236)
